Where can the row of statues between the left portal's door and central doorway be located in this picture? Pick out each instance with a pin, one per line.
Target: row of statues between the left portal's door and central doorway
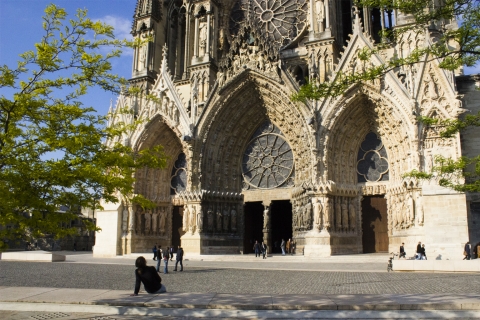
(220, 218)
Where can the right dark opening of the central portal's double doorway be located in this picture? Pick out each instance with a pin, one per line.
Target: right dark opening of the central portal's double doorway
(281, 223)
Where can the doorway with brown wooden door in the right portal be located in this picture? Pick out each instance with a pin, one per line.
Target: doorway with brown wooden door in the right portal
(374, 224)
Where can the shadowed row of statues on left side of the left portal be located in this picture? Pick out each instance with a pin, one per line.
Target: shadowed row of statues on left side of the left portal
(151, 221)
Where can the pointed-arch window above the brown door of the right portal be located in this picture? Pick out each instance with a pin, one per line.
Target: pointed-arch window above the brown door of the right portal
(372, 160)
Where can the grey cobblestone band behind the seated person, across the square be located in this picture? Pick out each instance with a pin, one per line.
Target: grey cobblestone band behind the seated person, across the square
(121, 277)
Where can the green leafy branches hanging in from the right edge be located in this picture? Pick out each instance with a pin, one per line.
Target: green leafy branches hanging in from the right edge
(453, 46)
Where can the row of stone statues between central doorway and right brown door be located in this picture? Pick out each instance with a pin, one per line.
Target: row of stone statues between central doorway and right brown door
(330, 214)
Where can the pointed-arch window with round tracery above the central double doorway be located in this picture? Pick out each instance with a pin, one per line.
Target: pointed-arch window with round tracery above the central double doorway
(268, 160)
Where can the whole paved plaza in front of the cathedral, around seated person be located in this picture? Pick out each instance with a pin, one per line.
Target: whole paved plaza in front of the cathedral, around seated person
(236, 287)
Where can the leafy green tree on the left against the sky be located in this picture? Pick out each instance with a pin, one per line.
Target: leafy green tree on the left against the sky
(52, 147)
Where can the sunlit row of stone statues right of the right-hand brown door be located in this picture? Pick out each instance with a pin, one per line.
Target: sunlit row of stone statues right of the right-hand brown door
(404, 211)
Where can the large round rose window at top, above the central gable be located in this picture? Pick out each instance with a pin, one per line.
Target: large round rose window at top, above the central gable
(281, 20)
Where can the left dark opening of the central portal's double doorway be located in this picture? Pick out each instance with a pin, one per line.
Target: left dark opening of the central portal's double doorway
(253, 225)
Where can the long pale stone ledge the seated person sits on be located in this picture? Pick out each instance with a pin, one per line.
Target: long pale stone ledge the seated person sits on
(241, 301)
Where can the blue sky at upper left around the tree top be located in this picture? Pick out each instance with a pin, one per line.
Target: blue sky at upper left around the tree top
(21, 28)
